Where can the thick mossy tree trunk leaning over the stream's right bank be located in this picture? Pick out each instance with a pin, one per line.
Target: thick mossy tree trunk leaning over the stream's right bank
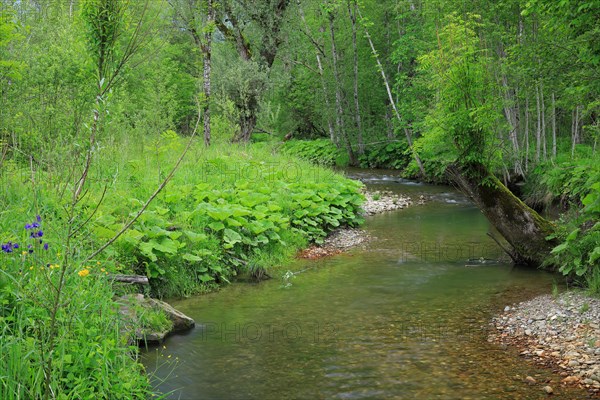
(523, 228)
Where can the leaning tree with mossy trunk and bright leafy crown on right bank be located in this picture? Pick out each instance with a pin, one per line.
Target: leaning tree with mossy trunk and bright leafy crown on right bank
(465, 111)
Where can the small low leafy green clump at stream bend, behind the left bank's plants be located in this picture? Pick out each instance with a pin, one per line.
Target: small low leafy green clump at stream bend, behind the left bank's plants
(320, 151)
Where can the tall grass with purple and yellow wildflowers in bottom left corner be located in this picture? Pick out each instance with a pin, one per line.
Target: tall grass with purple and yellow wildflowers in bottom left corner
(79, 343)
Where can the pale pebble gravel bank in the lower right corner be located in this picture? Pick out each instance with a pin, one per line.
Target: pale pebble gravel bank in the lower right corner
(561, 332)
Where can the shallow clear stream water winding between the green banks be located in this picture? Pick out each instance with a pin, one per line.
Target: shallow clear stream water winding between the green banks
(403, 317)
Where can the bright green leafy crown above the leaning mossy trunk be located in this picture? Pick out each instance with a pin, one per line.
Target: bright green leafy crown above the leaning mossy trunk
(465, 111)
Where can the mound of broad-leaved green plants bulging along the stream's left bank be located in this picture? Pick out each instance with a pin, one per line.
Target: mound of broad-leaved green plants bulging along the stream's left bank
(225, 214)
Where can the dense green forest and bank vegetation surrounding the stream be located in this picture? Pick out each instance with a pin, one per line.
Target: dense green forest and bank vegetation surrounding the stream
(102, 103)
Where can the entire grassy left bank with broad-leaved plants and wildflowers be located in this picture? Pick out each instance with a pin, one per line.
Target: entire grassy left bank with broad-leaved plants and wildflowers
(228, 211)
